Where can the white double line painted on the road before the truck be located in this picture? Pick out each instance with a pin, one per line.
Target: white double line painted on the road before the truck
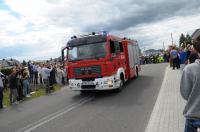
(54, 115)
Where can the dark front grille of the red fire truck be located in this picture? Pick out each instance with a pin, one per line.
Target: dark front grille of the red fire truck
(91, 70)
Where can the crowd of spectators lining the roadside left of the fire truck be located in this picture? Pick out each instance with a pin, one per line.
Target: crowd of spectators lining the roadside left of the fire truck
(24, 81)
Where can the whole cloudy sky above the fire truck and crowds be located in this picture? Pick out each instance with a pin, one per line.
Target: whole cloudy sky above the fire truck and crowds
(37, 29)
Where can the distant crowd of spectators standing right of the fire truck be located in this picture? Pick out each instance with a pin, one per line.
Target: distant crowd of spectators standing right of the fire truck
(178, 57)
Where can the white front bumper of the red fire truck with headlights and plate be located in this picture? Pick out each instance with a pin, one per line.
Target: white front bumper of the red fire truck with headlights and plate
(105, 83)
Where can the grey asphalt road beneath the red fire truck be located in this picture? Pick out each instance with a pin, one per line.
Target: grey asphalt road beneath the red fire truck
(69, 111)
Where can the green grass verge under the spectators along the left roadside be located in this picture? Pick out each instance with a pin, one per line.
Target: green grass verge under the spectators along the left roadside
(38, 93)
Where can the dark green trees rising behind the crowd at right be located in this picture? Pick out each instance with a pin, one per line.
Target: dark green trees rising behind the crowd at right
(184, 40)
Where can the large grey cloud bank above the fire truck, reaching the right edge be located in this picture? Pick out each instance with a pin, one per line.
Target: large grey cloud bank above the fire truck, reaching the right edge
(116, 14)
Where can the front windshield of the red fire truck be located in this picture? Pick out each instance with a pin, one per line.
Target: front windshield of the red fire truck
(90, 51)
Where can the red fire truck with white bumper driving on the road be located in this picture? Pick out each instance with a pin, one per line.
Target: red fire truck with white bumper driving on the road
(100, 61)
